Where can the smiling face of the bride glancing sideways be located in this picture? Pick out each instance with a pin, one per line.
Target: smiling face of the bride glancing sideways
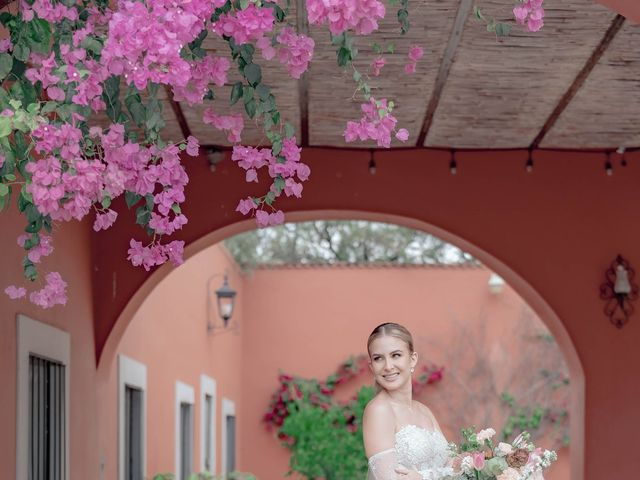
(391, 362)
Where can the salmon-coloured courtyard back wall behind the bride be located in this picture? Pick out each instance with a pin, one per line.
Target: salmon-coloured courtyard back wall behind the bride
(306, 321)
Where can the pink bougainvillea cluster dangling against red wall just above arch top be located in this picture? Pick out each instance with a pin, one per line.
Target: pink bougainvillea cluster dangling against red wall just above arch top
(284, 167)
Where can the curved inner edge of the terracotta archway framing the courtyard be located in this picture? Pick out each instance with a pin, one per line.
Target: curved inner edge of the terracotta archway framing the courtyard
(542, 308)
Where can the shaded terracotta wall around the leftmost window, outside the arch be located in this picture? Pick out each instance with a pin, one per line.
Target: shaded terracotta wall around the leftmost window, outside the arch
(72, 259)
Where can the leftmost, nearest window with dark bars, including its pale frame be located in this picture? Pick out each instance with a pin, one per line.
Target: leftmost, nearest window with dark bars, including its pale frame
(42, 401)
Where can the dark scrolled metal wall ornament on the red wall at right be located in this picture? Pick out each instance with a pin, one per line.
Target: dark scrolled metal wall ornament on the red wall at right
(619, 291)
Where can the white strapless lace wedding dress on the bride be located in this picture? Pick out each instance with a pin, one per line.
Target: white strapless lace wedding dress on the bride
(416, 448)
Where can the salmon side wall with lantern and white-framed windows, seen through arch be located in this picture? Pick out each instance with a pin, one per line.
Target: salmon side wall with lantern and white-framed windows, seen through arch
(169, 335)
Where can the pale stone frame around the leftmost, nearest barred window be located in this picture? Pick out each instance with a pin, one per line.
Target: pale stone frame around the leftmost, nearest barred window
(51, 343)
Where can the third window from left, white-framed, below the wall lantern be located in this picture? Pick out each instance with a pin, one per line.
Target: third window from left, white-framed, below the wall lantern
(184, 430)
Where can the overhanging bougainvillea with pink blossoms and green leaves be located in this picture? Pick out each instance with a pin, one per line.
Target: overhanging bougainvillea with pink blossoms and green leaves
(81, 122)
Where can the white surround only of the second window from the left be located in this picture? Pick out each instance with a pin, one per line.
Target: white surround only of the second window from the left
(131, 373)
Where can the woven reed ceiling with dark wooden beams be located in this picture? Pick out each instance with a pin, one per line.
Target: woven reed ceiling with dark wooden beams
(575, 84)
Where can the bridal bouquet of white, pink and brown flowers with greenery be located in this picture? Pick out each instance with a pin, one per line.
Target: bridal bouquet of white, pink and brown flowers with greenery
(477, 458)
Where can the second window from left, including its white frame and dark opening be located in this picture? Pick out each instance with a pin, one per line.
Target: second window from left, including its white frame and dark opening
(132, 387)
